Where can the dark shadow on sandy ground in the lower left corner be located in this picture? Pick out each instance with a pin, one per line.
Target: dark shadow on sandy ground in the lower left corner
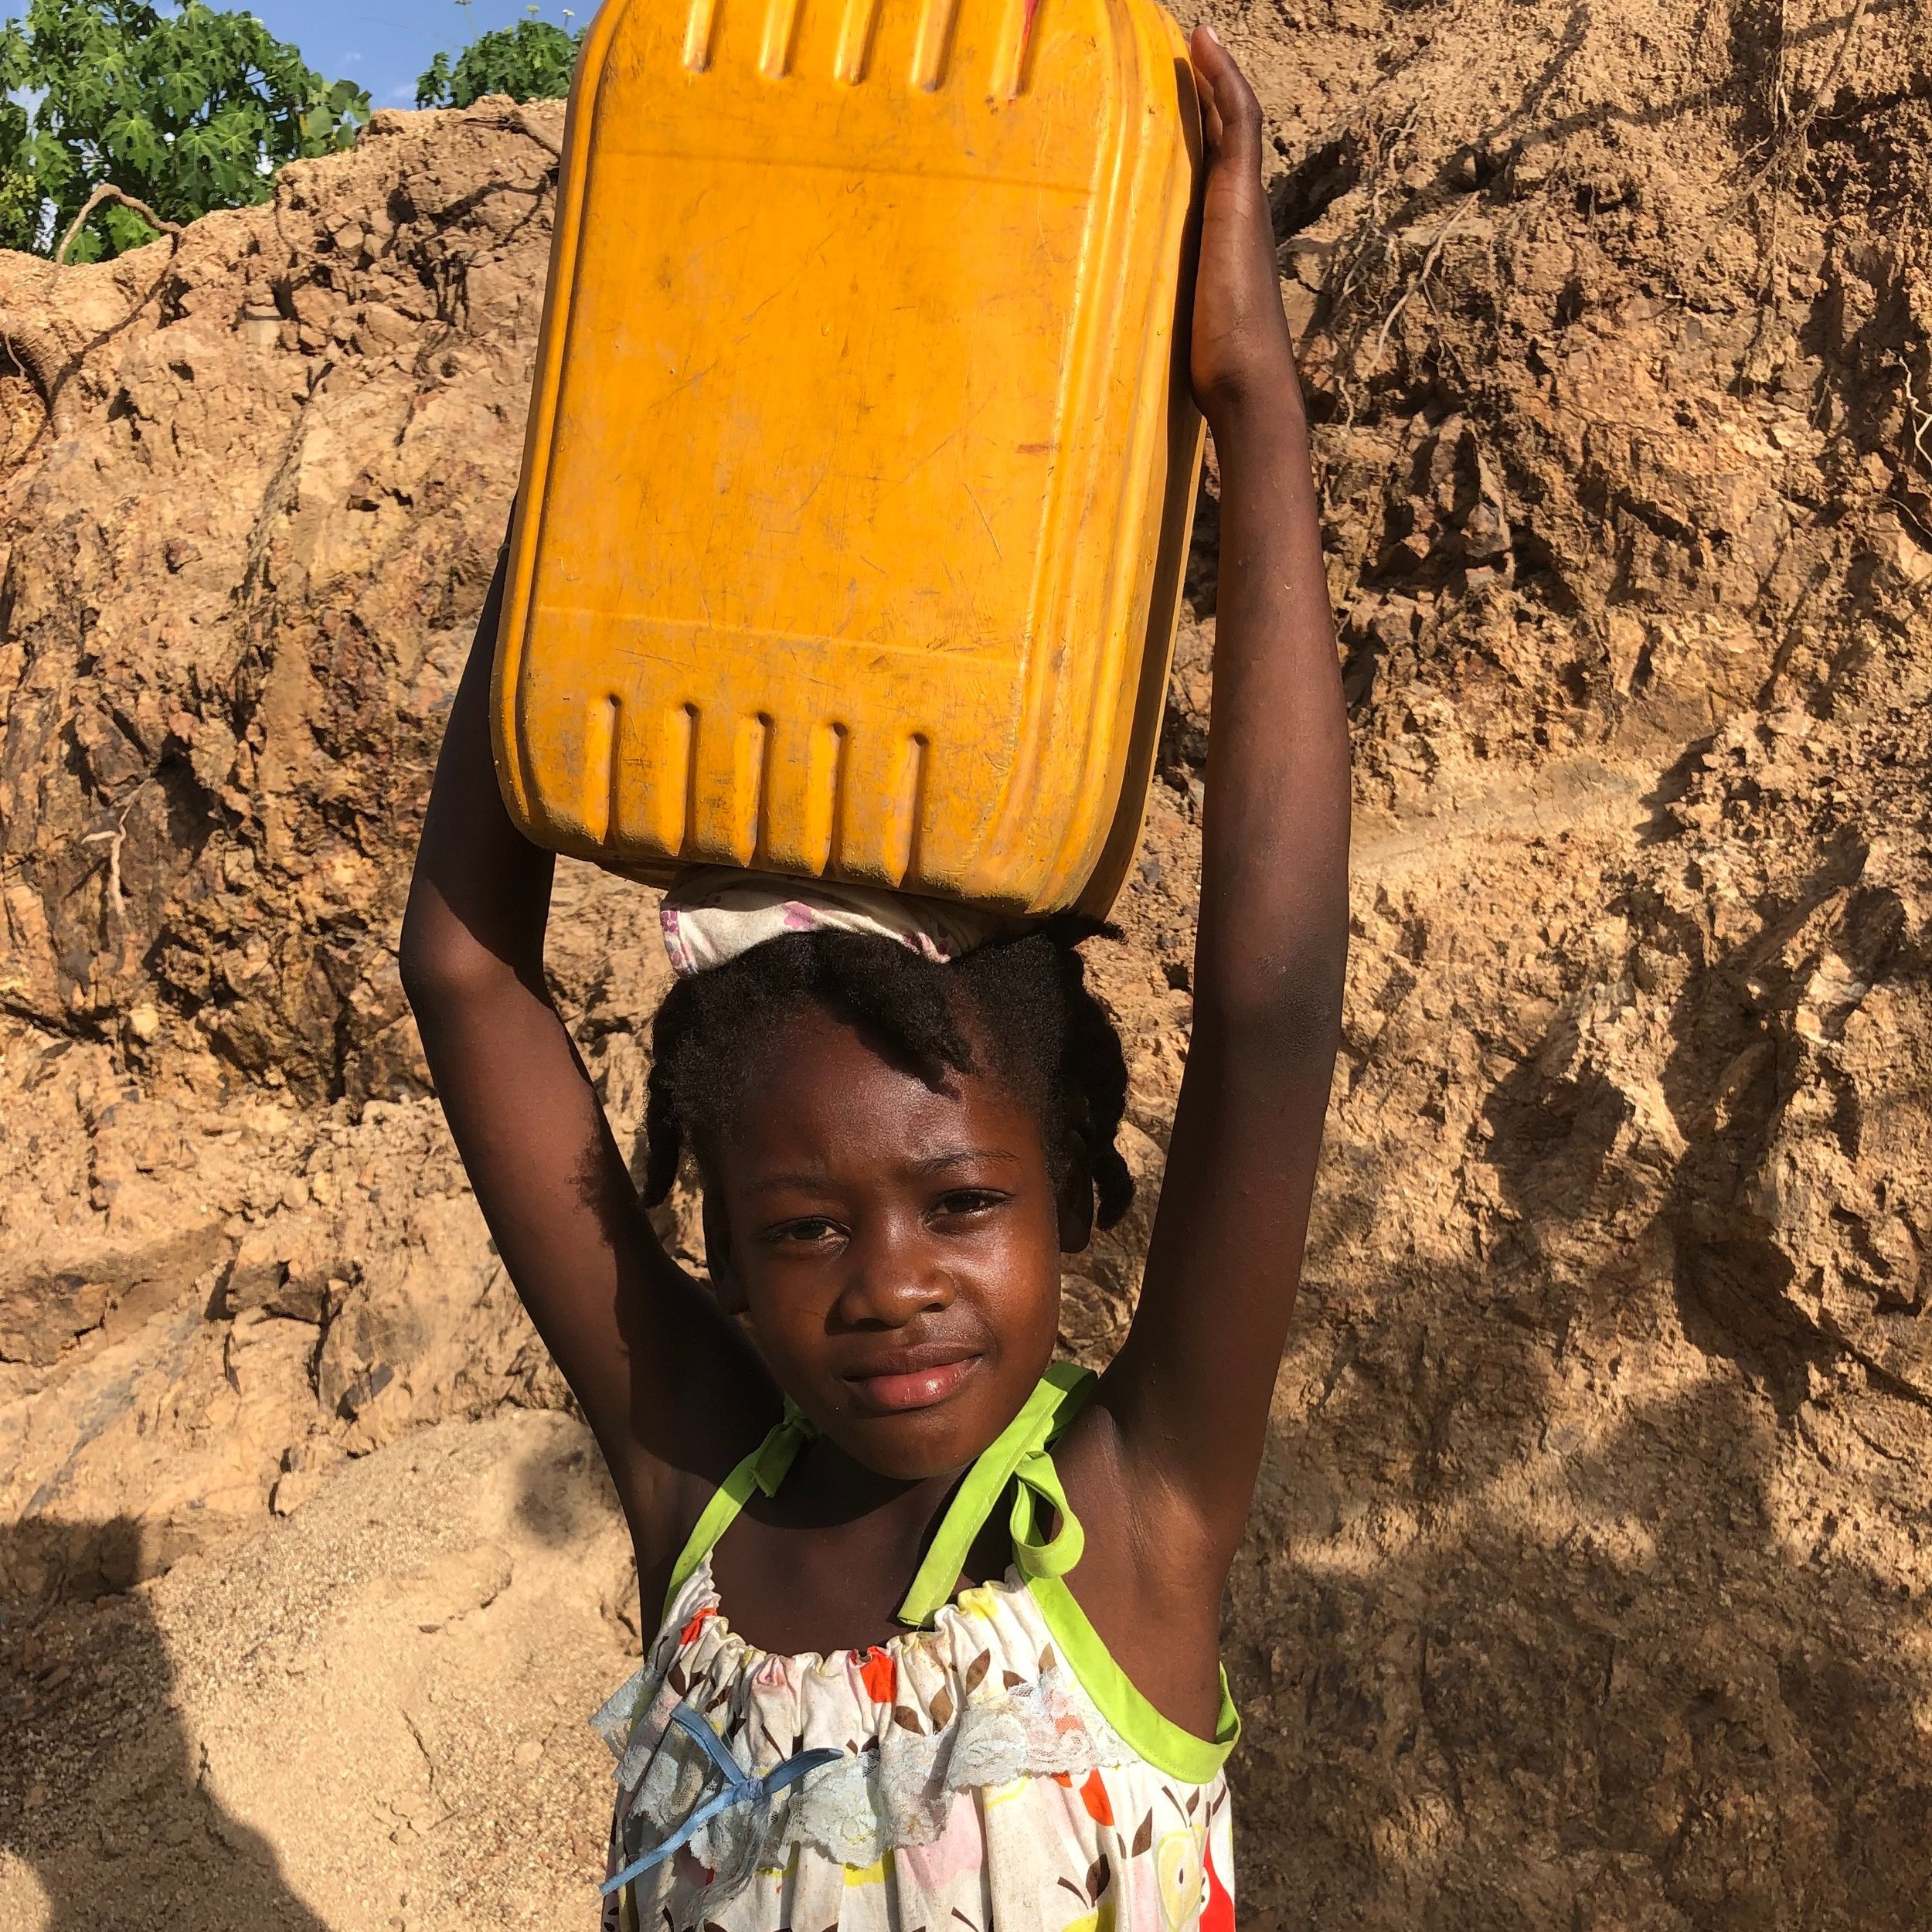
(101, 1788)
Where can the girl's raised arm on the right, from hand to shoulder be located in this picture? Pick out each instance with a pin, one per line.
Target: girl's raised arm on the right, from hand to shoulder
(1191, 1388)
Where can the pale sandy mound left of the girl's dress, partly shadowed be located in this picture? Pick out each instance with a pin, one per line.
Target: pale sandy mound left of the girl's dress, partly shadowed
(366, 1717)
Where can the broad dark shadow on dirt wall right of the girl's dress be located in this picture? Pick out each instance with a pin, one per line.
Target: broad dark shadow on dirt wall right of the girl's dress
(1659, 1719)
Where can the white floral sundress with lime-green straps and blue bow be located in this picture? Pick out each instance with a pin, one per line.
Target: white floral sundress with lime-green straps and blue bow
(990, 1771)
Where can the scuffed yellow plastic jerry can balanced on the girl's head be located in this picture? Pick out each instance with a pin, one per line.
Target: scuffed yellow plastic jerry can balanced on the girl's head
(861, 461)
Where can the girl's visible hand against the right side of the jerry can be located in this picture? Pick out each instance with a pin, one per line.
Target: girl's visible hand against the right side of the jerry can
(1241, 353)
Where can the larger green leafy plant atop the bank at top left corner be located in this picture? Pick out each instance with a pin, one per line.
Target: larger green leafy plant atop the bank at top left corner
(186, 115)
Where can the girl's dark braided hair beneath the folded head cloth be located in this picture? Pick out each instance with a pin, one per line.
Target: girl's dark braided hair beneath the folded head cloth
(1025, 1002)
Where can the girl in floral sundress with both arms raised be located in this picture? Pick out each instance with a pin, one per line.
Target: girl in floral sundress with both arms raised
(940, 1616)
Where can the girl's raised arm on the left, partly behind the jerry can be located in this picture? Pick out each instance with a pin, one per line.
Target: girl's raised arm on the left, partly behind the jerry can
(664, 1377)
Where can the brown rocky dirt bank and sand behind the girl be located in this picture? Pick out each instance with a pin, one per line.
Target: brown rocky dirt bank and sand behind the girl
(1591, 1568)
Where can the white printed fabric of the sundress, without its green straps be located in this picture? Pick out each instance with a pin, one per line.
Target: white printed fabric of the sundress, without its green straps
(963, 1775)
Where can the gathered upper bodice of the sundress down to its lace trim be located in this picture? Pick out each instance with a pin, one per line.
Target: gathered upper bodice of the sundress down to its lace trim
(975, 1703)
